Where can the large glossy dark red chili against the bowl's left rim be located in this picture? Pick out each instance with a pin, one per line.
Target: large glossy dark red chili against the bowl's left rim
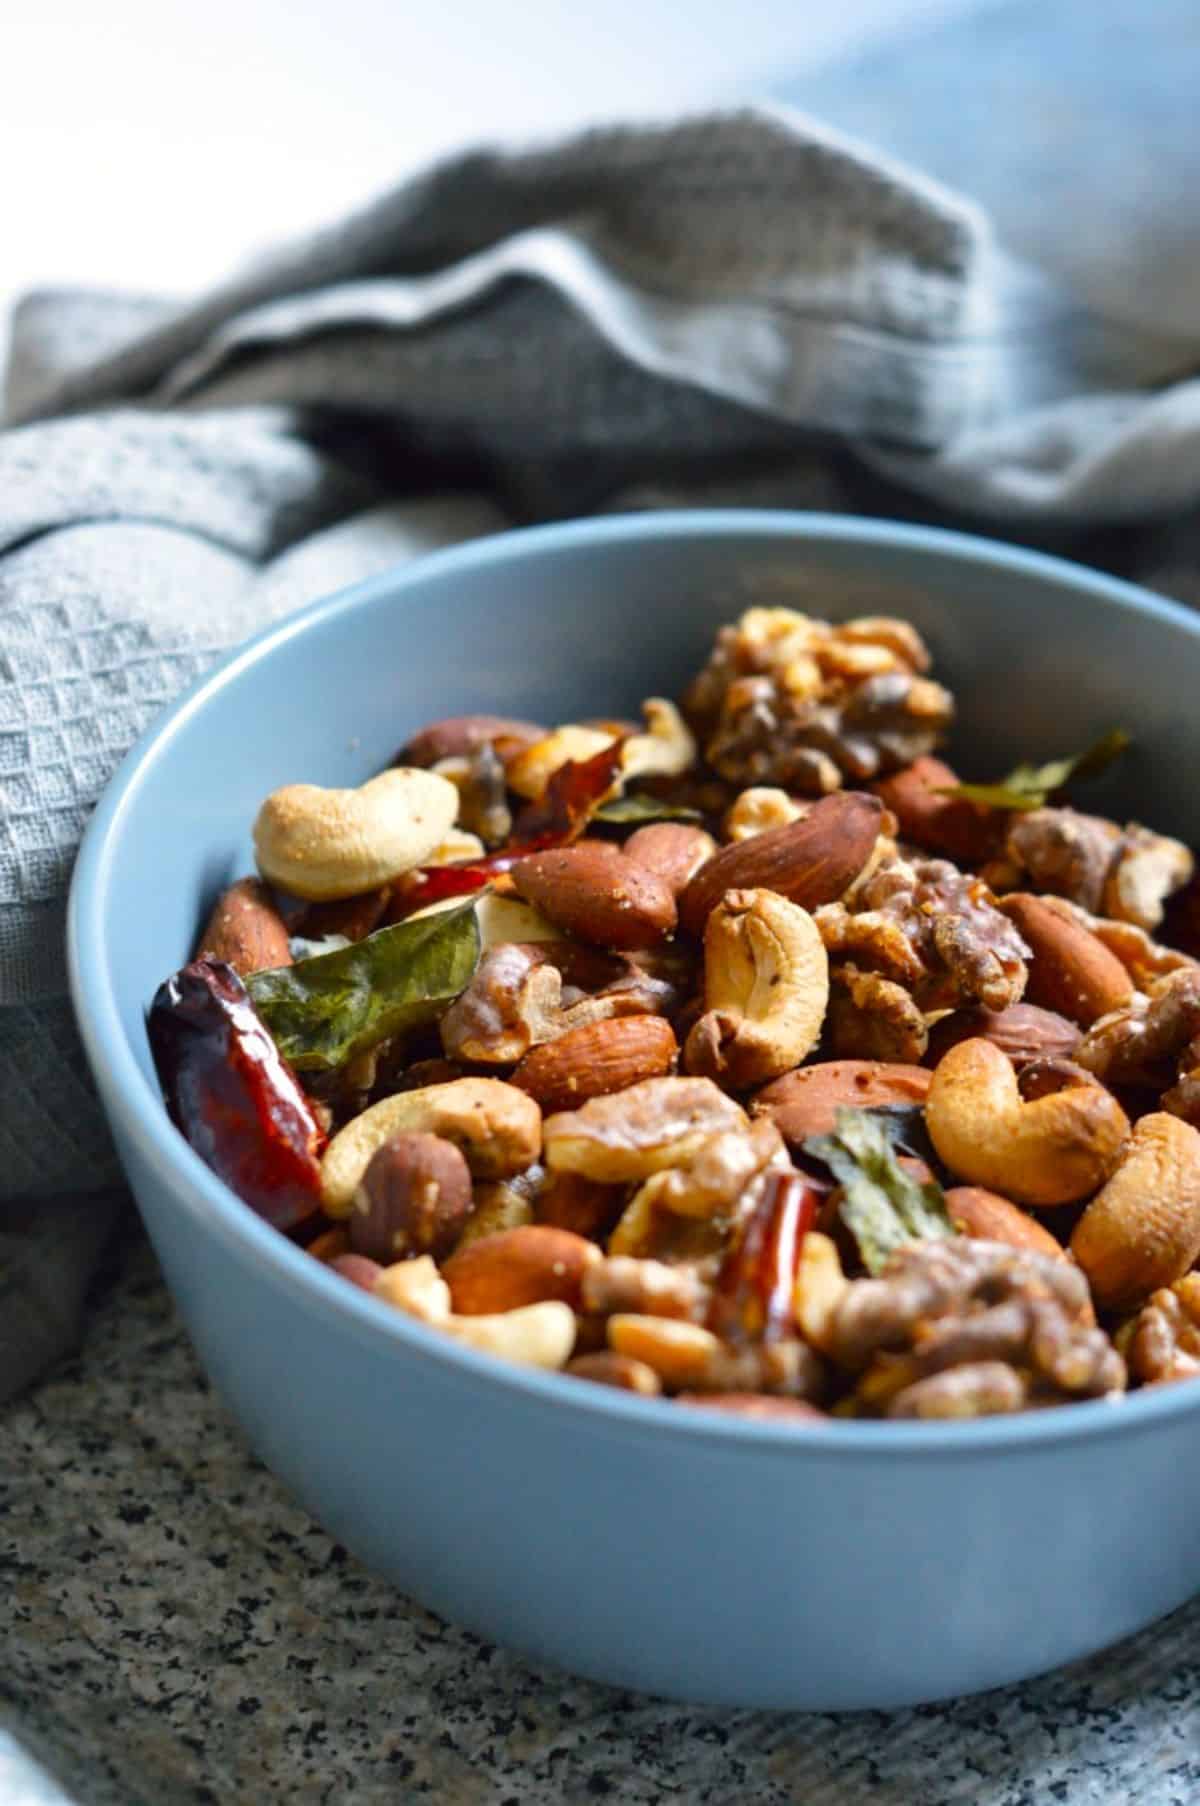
(232, 1095)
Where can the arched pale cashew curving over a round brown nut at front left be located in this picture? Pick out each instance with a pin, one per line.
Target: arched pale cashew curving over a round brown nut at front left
(498, 1128)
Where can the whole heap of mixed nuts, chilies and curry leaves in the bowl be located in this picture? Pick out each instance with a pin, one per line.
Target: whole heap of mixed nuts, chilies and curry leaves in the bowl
(740, 1056)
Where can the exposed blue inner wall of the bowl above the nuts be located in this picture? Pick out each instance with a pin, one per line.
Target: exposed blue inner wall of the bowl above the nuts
(588, 620)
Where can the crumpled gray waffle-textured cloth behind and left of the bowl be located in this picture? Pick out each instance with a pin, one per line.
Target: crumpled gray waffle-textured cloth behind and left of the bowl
(717, 310)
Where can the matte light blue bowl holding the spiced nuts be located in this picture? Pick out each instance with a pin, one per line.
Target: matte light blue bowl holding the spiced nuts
(838, 1567)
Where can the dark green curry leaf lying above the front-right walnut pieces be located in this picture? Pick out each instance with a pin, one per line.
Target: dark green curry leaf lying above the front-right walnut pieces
(883, 1206)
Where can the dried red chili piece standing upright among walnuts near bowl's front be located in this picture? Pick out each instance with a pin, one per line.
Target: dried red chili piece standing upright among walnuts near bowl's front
(753, 1294)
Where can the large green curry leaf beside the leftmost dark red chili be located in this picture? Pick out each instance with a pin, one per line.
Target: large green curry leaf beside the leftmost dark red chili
(333, 1007)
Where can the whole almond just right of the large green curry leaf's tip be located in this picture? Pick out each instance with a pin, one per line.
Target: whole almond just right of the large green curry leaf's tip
(594, 891)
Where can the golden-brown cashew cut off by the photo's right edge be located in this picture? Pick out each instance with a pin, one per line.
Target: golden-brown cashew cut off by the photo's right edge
(1143, 1231)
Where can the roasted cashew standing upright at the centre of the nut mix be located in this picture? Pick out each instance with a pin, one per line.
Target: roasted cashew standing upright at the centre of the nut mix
(767, 987)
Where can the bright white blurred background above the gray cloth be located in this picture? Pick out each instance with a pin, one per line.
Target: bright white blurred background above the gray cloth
(153, 144)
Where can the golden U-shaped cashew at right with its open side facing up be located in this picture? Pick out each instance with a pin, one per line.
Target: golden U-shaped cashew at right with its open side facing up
(1051, 1151)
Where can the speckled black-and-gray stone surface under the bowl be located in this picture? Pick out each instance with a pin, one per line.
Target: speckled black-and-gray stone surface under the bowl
(182, 1634)
